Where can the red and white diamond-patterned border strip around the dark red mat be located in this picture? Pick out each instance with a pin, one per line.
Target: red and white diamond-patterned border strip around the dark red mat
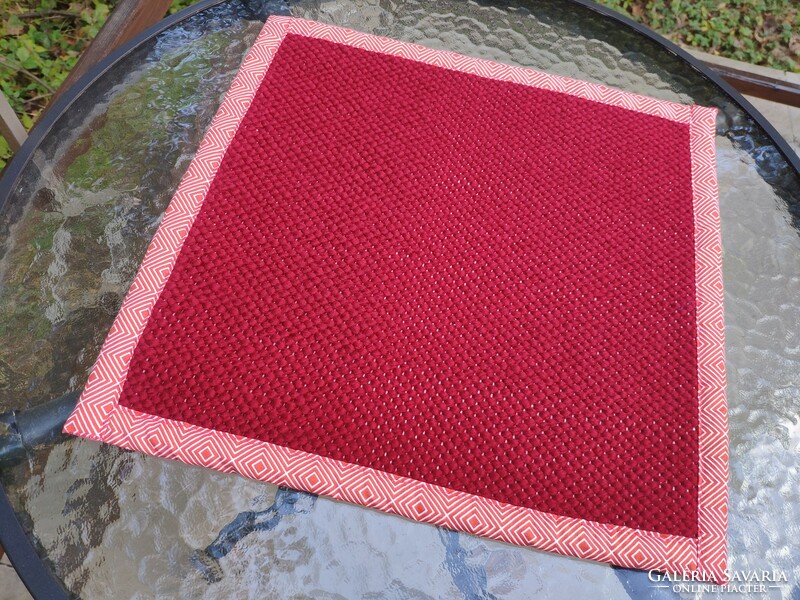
(100, 417)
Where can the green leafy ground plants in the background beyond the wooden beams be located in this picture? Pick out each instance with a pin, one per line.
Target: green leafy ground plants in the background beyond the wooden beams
(40, 40)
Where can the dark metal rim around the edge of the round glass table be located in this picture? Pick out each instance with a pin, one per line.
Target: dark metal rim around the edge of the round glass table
(32, 569)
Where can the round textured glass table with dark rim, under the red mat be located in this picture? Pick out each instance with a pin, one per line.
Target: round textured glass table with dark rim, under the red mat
(81, 201)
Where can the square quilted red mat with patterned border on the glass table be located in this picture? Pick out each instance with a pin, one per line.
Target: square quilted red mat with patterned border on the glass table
(468, 293)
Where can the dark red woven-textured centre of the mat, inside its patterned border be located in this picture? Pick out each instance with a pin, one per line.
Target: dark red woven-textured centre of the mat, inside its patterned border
(468, 282)
